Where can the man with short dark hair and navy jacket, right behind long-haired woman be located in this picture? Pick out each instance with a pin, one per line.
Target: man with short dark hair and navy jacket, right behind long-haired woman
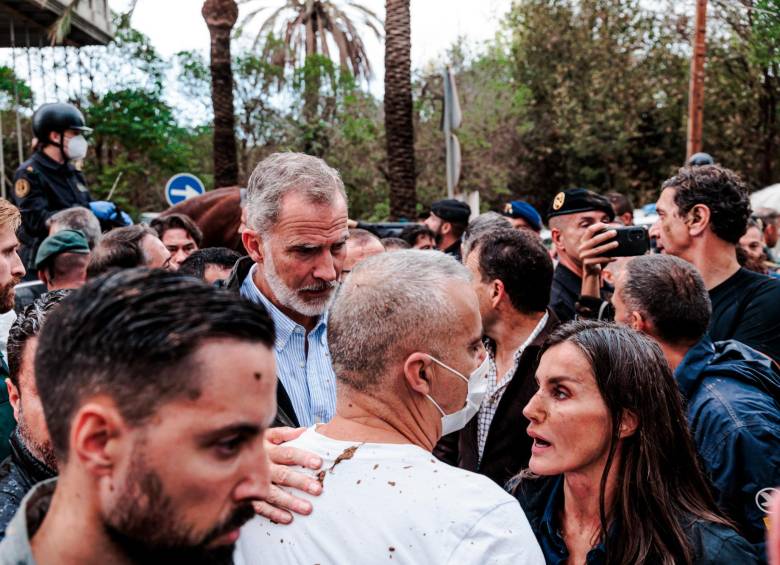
(732, 391)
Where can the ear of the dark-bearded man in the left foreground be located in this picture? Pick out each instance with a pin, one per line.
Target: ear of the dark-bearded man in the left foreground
(96, 435)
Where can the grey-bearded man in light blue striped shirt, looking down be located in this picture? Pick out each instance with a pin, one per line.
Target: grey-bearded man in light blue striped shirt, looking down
(295, 235)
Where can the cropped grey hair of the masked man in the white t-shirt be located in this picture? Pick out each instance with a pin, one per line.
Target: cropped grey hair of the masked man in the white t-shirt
(390, 306)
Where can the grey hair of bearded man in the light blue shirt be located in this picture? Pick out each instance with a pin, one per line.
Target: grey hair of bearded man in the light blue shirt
(281, 173)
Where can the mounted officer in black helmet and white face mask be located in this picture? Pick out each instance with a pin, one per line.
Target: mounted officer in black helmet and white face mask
(50, 181)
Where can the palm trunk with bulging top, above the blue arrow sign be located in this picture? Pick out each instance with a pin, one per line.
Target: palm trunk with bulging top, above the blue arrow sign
(221, 16)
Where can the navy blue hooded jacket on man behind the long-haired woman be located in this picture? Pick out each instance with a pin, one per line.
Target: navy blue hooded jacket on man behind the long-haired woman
(733, 400)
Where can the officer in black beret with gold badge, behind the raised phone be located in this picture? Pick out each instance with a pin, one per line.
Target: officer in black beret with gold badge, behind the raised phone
(569, 216)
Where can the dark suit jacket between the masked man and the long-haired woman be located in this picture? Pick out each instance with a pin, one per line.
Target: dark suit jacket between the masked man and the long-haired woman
(508, 446)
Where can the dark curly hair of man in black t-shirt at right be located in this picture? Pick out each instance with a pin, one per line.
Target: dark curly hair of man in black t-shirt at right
(719, 189)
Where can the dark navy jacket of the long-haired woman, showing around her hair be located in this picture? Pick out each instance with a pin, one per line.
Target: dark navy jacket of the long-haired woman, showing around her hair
(542, 501)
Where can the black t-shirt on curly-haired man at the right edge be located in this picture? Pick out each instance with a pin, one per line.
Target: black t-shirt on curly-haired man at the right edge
(746, 307)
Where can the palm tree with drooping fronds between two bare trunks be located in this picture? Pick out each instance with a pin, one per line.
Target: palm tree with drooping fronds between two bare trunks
(309, 27)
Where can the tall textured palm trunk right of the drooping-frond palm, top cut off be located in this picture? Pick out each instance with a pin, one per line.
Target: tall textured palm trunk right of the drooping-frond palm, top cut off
(399, 126)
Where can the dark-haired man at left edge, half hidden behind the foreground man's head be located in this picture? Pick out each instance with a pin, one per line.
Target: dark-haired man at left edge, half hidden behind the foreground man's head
(32, 457)
